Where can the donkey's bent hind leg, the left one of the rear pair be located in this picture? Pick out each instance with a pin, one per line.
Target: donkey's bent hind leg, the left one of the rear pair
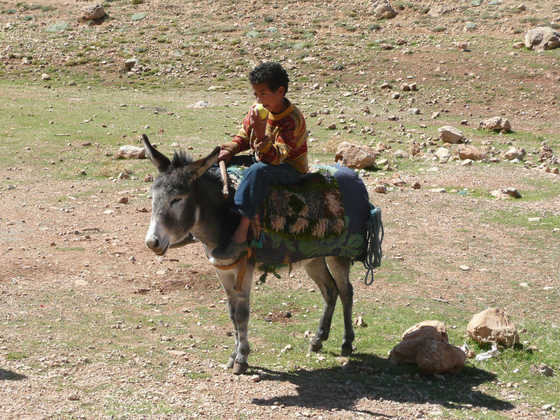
(318, 271)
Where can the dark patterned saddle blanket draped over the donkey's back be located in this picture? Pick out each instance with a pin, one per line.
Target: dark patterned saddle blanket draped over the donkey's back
(323, 215)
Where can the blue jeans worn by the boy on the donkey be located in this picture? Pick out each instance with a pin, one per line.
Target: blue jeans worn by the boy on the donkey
(254, 186)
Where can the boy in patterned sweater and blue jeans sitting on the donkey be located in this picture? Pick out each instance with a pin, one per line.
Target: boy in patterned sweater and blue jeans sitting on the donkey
(277, 136)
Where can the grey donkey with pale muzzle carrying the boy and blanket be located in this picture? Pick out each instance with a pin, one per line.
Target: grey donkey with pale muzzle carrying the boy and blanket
(187, 201)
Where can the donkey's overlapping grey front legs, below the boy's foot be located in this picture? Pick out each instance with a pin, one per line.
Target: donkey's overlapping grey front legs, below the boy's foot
(238, 292)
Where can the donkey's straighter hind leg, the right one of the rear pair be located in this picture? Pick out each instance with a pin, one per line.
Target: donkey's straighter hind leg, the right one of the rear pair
(340, 270)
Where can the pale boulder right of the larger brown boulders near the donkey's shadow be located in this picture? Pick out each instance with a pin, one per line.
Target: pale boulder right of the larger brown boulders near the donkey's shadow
(493, 326)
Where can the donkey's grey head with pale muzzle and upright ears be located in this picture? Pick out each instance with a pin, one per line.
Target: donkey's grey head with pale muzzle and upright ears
(175, 209)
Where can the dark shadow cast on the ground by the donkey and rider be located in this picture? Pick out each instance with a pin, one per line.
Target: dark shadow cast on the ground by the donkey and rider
(368, 376)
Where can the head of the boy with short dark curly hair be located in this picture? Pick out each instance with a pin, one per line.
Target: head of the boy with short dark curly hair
(270, 84)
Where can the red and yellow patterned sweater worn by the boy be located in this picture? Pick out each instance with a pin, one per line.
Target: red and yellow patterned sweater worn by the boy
(288, 135)
